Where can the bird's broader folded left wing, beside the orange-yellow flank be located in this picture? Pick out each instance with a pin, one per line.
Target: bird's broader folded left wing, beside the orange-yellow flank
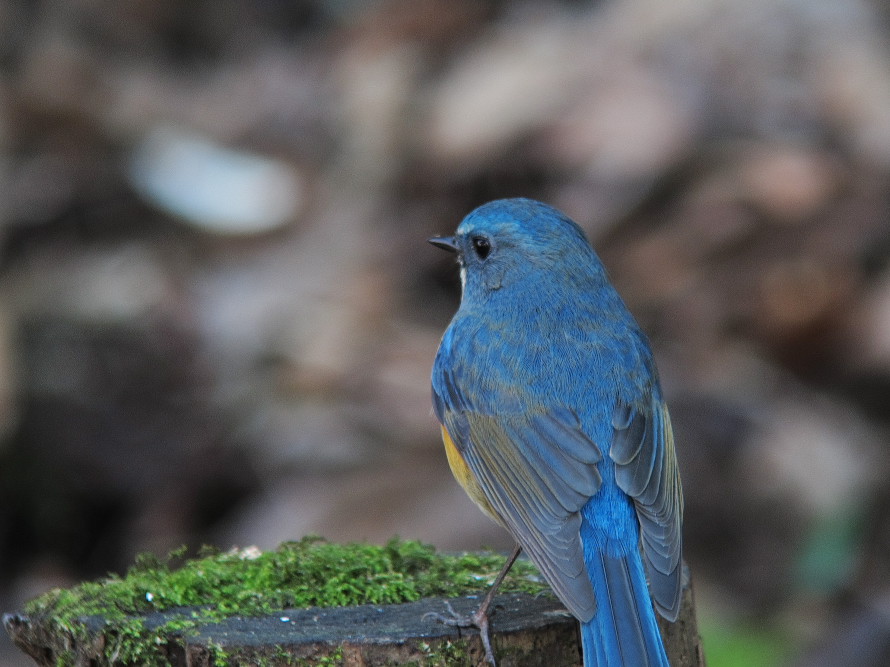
(536, 471)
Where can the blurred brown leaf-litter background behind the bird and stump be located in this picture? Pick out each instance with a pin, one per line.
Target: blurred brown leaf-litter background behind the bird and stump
(218, 311)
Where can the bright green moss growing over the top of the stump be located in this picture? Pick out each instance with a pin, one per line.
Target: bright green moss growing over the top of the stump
(213, 586)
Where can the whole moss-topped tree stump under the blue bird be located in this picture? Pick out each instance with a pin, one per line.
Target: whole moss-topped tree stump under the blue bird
(528, 627)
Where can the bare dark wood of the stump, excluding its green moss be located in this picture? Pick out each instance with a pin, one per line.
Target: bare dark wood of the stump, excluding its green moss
(526, 630)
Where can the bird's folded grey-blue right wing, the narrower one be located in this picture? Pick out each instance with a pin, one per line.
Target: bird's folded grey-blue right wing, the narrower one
(646, 469)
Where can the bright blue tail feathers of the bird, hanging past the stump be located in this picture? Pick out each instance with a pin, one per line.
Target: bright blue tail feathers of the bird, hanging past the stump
(623, 631)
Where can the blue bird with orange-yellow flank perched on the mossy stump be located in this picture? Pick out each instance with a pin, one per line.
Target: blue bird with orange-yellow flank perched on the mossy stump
(554, 423)
